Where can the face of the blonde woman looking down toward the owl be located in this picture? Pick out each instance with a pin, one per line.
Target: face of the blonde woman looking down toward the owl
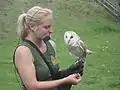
(44, 29)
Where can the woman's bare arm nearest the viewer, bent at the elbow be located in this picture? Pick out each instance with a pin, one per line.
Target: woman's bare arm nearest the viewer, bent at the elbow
(24, 63)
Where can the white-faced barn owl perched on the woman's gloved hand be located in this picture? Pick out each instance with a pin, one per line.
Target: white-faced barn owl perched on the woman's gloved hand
(75, 45)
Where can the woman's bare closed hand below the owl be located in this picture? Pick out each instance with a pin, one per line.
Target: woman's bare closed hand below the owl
(73, 79)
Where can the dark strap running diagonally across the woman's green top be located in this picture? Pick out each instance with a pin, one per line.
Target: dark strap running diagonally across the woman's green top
(33, 45)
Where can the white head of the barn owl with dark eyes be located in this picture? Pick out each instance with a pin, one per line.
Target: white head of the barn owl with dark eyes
(70, 37)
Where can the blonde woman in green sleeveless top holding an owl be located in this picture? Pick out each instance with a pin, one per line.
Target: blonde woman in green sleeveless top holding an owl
(35, 73)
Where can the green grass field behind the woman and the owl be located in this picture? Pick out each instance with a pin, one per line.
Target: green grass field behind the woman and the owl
(95, 26)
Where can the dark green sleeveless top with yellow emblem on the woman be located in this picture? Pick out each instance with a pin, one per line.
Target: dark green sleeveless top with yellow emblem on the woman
(42, 69)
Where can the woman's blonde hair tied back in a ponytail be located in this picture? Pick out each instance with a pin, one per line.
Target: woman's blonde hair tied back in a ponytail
(34, 15)
